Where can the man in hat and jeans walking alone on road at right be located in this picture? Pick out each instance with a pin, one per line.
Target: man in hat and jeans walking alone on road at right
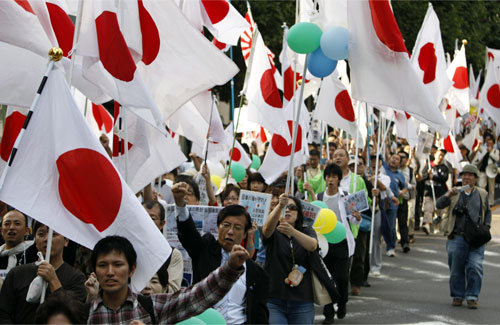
(465, 260)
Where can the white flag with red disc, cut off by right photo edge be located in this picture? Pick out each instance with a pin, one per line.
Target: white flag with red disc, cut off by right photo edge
(489, 96)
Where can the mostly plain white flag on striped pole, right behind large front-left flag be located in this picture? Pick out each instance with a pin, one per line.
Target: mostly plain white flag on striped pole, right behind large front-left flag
(151, 153)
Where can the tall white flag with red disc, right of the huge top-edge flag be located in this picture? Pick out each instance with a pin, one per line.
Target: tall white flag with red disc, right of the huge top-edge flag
(428, 57)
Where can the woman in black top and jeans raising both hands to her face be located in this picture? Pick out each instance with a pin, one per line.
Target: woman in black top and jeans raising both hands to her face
(288, 244)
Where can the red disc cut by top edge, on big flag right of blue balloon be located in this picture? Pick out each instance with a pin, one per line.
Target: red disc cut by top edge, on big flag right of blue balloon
(385, 25)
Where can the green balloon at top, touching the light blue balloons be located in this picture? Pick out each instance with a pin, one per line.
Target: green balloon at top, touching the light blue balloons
(304, 37)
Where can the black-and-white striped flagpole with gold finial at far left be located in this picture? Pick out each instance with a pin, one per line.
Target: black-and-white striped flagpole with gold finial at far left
(55, 54)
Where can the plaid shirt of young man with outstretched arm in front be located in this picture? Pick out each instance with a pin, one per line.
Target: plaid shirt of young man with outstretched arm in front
(169, 308)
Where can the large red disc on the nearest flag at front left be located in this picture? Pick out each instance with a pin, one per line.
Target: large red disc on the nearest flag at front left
(90, 187)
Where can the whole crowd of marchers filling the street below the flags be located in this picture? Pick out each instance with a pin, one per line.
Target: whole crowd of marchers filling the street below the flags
(269, 273)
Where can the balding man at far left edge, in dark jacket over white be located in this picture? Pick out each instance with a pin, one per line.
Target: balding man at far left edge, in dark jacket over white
(15, 250)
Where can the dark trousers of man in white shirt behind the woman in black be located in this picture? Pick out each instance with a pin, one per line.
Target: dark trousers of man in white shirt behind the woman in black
(337, 262)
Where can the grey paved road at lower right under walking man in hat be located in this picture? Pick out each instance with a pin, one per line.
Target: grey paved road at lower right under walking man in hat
(413, 288)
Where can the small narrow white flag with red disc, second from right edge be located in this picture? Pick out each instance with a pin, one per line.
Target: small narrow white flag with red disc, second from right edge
(458, 94)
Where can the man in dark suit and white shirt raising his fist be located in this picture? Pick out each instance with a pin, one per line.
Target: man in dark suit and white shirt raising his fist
(246, 302)
